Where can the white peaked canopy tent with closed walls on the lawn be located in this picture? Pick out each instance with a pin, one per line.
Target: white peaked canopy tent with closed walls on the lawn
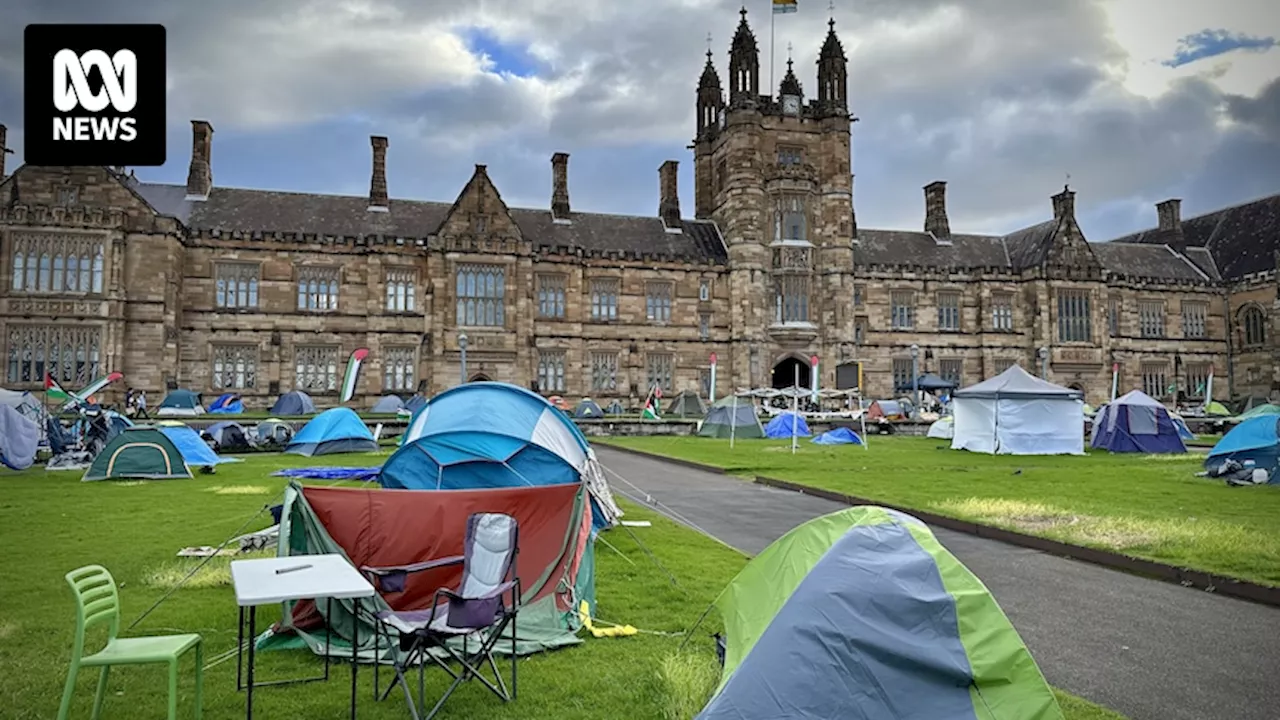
(1020, 414)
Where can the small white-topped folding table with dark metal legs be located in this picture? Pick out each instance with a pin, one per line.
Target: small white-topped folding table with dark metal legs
(282, 580)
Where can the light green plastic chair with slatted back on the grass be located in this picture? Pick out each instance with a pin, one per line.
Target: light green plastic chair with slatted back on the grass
(97, 603)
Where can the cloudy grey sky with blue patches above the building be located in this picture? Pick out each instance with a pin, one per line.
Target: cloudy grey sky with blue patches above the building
(1136, 101)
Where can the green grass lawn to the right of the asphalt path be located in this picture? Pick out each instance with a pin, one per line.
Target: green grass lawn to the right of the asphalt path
(1141, 505)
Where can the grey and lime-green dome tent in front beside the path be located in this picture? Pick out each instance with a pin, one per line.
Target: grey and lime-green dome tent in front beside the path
(862, 614)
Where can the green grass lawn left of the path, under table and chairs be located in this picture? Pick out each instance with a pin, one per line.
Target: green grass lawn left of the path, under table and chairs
(54, 523)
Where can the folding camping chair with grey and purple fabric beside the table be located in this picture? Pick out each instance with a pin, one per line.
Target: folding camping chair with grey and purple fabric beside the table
(477, 613)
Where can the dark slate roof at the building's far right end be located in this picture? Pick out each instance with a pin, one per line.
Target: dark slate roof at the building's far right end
(1241, 240)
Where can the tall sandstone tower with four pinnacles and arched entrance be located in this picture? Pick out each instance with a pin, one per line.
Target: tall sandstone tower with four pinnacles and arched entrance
(774, 172)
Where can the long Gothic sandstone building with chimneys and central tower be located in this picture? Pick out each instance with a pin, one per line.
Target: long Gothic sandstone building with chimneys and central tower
(221, 289)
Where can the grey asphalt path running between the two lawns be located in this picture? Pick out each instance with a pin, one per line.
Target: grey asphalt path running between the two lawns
(1148, 649)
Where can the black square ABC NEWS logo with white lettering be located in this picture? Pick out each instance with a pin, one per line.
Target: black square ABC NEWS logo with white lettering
(99, 90)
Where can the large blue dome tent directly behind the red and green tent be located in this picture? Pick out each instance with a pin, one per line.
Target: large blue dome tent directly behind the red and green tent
(490, 435)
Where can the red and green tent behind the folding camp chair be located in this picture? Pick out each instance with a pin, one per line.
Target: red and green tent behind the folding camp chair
(383, 528)
